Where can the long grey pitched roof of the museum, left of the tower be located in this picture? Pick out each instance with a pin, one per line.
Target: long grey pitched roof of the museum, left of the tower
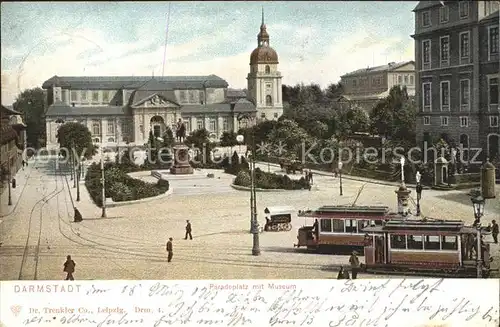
(134, 82)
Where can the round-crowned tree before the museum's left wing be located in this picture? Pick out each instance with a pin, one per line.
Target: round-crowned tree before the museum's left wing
(78, 137)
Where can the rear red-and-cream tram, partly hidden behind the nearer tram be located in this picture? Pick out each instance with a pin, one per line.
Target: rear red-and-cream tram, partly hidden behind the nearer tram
(339, 229)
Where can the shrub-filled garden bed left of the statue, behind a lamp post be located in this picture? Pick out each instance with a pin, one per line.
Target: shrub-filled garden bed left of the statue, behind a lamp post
(119, 186)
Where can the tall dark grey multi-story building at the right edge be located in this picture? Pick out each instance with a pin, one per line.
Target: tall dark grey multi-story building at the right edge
(457, 66)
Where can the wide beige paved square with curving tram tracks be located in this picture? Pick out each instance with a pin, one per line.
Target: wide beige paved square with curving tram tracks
(130, 242)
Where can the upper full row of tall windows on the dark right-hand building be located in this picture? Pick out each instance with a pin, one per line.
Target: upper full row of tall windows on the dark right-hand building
(464, 48)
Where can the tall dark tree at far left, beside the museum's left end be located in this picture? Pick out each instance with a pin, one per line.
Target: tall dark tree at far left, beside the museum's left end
(33, 103)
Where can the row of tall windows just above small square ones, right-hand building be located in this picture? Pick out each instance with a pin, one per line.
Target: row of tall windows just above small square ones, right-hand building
(464, 90)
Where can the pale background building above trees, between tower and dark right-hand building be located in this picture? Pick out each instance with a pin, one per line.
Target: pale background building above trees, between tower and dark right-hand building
(365, 87)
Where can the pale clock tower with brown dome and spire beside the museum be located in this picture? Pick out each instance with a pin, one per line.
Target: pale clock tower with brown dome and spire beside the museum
(264, 79)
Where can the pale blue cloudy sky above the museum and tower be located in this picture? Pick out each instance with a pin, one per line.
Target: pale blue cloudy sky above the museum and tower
(316, 42)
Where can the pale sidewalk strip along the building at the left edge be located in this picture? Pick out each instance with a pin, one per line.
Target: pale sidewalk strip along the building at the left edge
(21, 177)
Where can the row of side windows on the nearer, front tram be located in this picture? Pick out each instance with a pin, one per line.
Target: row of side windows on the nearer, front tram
(424, 242)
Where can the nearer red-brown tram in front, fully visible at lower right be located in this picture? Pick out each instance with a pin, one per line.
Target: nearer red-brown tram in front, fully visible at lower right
(433, 247)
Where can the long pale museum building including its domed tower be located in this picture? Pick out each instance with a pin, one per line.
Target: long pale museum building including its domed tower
(123, 110)
